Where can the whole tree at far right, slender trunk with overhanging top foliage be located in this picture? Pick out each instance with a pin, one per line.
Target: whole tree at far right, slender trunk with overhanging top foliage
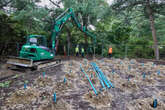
(148, 8)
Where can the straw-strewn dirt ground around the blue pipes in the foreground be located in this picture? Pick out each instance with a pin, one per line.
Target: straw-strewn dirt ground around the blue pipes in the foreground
(136, 85)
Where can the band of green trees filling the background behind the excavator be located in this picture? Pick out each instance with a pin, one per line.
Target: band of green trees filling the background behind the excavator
(132, 26)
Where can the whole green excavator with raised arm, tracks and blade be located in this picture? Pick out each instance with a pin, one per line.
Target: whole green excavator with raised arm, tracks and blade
(36, 54)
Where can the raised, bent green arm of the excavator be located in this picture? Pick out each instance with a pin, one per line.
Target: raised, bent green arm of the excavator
(61, 20)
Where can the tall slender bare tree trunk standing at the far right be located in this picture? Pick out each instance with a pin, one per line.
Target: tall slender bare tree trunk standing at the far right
(156, 49)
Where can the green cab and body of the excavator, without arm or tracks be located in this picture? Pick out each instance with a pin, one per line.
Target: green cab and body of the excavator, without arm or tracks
(36, 49)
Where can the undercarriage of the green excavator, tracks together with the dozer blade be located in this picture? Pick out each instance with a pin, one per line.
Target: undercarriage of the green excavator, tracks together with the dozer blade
(26, 65)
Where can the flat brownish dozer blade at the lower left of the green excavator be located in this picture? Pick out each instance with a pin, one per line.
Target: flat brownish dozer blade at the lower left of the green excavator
(17, 61)
